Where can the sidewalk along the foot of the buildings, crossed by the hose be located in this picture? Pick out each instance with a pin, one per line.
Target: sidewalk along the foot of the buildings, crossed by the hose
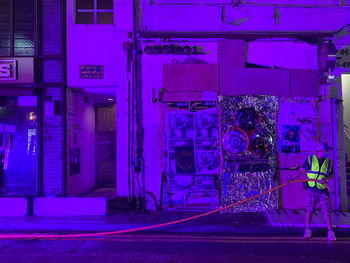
(247, 224)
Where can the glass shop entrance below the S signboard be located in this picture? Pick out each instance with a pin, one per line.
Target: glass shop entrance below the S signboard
(18, 145)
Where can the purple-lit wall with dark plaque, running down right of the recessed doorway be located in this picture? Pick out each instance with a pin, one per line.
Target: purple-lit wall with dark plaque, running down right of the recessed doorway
(103, 45)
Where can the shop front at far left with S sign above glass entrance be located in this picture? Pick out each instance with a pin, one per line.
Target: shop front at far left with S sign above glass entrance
(19, 116)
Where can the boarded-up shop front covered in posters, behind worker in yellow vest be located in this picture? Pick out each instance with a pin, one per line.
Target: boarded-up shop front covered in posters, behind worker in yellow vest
(228, 124)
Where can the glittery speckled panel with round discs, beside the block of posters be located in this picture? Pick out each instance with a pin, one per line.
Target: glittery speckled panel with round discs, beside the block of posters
(248, 139)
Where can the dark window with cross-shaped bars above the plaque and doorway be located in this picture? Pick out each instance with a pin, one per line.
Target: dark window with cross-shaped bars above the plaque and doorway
(94, 12)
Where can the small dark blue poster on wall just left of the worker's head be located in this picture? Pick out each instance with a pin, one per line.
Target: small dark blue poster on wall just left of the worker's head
(290, 139)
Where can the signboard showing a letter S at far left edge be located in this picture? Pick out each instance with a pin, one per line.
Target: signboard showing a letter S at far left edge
(16, 70)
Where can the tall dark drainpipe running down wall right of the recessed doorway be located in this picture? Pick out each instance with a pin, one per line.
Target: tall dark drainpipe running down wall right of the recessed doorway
(139, 166)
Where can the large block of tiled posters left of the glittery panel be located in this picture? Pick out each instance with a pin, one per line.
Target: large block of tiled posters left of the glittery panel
(192, 164)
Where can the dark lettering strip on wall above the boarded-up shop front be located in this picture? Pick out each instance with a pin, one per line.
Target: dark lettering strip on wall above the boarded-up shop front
(174, 49)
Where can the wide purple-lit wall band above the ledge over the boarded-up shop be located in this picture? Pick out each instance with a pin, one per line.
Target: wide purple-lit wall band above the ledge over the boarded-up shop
(225, 17)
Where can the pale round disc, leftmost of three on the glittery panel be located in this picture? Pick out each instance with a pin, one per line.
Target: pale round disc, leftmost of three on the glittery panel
(235, 141)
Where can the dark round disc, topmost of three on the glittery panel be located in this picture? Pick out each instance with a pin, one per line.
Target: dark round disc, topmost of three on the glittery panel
(247, 119)
